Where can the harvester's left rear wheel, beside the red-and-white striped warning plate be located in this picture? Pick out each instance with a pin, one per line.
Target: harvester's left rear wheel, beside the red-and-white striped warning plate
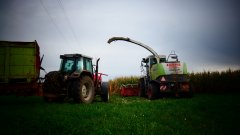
(153, 91)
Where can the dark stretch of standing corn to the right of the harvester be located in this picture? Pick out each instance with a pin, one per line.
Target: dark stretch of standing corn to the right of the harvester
(216, 82)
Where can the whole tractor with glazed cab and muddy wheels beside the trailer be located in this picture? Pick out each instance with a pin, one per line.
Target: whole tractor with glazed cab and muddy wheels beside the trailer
(77, 79)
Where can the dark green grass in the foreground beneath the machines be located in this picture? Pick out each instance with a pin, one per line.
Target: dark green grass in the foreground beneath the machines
(201, 115)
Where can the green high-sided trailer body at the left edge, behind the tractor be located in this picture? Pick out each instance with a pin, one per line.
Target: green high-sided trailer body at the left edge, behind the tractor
(19, 65)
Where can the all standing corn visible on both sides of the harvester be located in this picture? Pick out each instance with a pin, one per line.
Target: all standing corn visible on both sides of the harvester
(204, 82)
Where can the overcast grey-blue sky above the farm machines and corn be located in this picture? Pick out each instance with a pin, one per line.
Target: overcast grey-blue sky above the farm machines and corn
(204, 33)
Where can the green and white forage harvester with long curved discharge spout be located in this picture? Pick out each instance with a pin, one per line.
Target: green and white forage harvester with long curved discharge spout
(162, 76)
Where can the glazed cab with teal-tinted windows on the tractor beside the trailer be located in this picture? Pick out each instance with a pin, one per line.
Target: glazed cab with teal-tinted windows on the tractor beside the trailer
(75, 63)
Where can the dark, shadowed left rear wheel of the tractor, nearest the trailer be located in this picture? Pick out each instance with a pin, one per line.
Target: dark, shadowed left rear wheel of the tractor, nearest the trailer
(53, 86)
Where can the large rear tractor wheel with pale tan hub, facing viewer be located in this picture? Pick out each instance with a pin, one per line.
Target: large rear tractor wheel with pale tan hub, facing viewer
(84, 90)
